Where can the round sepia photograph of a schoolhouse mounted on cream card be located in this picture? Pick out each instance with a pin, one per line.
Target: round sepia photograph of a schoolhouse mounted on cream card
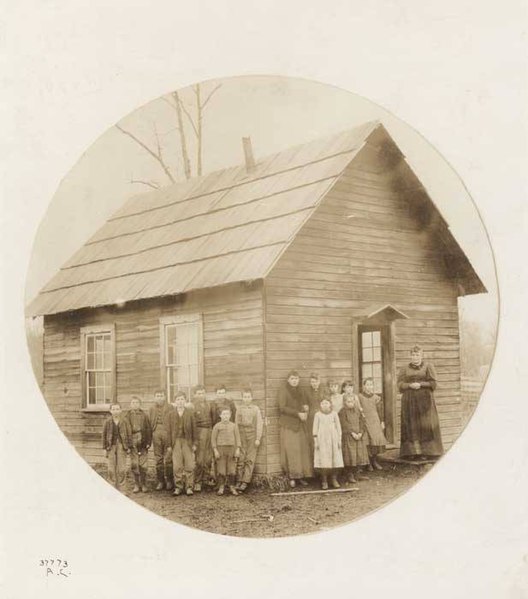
(261, 306)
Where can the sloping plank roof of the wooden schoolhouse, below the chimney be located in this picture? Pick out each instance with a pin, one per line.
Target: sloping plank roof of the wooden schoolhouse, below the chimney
(228, 226)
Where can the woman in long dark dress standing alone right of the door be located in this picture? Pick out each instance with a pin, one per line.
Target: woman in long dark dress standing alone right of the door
(420, 428)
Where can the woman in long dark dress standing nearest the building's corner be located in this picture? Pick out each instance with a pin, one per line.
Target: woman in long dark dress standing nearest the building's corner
(295, 449)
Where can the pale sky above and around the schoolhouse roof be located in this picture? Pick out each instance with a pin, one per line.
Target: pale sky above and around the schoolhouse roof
(276, 113)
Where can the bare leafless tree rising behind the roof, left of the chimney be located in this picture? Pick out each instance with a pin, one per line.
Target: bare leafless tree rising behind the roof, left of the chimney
(196, 123)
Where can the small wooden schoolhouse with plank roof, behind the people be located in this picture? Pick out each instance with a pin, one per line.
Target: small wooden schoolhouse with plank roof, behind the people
(328, 257)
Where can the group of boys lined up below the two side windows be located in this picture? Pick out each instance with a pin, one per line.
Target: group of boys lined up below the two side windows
(196, 443)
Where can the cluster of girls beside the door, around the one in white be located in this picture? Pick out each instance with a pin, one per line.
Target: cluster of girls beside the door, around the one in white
(347, 430)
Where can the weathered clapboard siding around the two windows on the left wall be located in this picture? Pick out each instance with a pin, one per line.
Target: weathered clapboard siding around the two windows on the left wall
(233, 355)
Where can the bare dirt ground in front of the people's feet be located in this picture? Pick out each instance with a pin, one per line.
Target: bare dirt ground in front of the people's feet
(292, 514)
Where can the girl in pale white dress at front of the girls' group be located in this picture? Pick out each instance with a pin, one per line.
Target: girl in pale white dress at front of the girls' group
(328, 457)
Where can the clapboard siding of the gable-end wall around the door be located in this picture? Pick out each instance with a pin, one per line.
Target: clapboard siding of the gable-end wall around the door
(362, 246)
